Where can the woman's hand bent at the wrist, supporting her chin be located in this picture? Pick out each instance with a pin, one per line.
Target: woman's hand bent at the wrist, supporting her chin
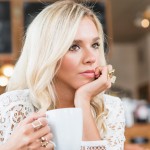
(101, 83)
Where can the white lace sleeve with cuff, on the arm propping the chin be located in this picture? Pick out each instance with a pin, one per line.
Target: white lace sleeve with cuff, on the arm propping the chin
(114, 139)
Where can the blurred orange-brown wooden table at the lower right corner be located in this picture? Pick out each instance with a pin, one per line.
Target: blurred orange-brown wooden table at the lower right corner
(138, 130)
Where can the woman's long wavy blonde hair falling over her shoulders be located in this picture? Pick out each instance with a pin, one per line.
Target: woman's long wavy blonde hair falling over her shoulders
(48, 38)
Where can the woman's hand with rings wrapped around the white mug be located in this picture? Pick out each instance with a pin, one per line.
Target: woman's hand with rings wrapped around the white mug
(27, 136)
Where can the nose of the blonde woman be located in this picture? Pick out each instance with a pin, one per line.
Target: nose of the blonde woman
(89, 57)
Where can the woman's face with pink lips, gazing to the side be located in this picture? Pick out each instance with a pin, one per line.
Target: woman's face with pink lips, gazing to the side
(78, 64)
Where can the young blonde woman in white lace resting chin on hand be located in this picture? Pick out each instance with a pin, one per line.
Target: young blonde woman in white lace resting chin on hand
(62, 65)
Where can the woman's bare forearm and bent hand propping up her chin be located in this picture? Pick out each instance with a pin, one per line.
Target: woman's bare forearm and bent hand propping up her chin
(83, 97)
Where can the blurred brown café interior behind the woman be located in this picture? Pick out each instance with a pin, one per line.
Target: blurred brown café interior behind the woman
(126, 24)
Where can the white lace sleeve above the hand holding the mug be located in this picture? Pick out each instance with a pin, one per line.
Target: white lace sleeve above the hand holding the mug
(14, 107)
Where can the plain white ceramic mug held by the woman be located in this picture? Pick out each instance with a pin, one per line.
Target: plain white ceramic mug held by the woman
(66, 125)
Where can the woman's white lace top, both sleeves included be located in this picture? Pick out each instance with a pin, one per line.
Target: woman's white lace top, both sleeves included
(15, 106)
